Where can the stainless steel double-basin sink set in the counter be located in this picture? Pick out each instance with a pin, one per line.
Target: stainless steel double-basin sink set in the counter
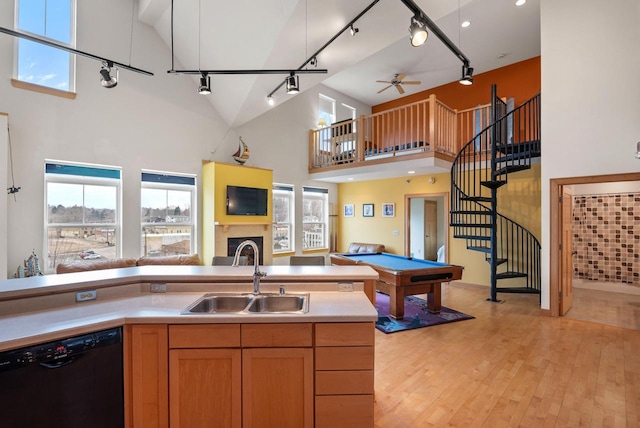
(218, 303)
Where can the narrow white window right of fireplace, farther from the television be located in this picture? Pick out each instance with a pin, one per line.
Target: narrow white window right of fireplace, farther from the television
(315, 212)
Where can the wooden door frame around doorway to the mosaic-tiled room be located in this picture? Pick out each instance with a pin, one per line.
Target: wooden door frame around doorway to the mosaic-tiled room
(555, 226)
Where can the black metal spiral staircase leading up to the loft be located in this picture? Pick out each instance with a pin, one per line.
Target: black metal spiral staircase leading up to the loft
(482, 167)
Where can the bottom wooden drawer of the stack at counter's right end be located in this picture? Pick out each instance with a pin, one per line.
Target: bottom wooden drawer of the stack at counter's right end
(344, 411)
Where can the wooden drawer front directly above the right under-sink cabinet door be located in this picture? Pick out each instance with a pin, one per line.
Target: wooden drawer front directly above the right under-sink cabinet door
(276, 335)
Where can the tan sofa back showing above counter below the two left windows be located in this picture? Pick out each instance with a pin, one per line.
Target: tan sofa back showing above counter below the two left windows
(99, 264)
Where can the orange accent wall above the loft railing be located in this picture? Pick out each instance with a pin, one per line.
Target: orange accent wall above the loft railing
(520, 81)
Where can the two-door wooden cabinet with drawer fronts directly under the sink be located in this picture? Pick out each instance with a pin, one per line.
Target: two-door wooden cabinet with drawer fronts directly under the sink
(251, 375)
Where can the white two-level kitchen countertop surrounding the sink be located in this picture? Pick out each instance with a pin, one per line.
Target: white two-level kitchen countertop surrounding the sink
(134, 304)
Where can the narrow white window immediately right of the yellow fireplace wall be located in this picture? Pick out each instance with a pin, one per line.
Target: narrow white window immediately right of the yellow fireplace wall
(283, 218)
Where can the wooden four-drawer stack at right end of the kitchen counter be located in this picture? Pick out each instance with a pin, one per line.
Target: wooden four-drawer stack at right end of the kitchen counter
(344, 357)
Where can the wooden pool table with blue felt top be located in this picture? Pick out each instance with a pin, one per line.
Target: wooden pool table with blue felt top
(404, 276)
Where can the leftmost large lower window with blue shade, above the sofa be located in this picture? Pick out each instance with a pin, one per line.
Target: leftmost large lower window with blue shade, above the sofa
(83, 217)
